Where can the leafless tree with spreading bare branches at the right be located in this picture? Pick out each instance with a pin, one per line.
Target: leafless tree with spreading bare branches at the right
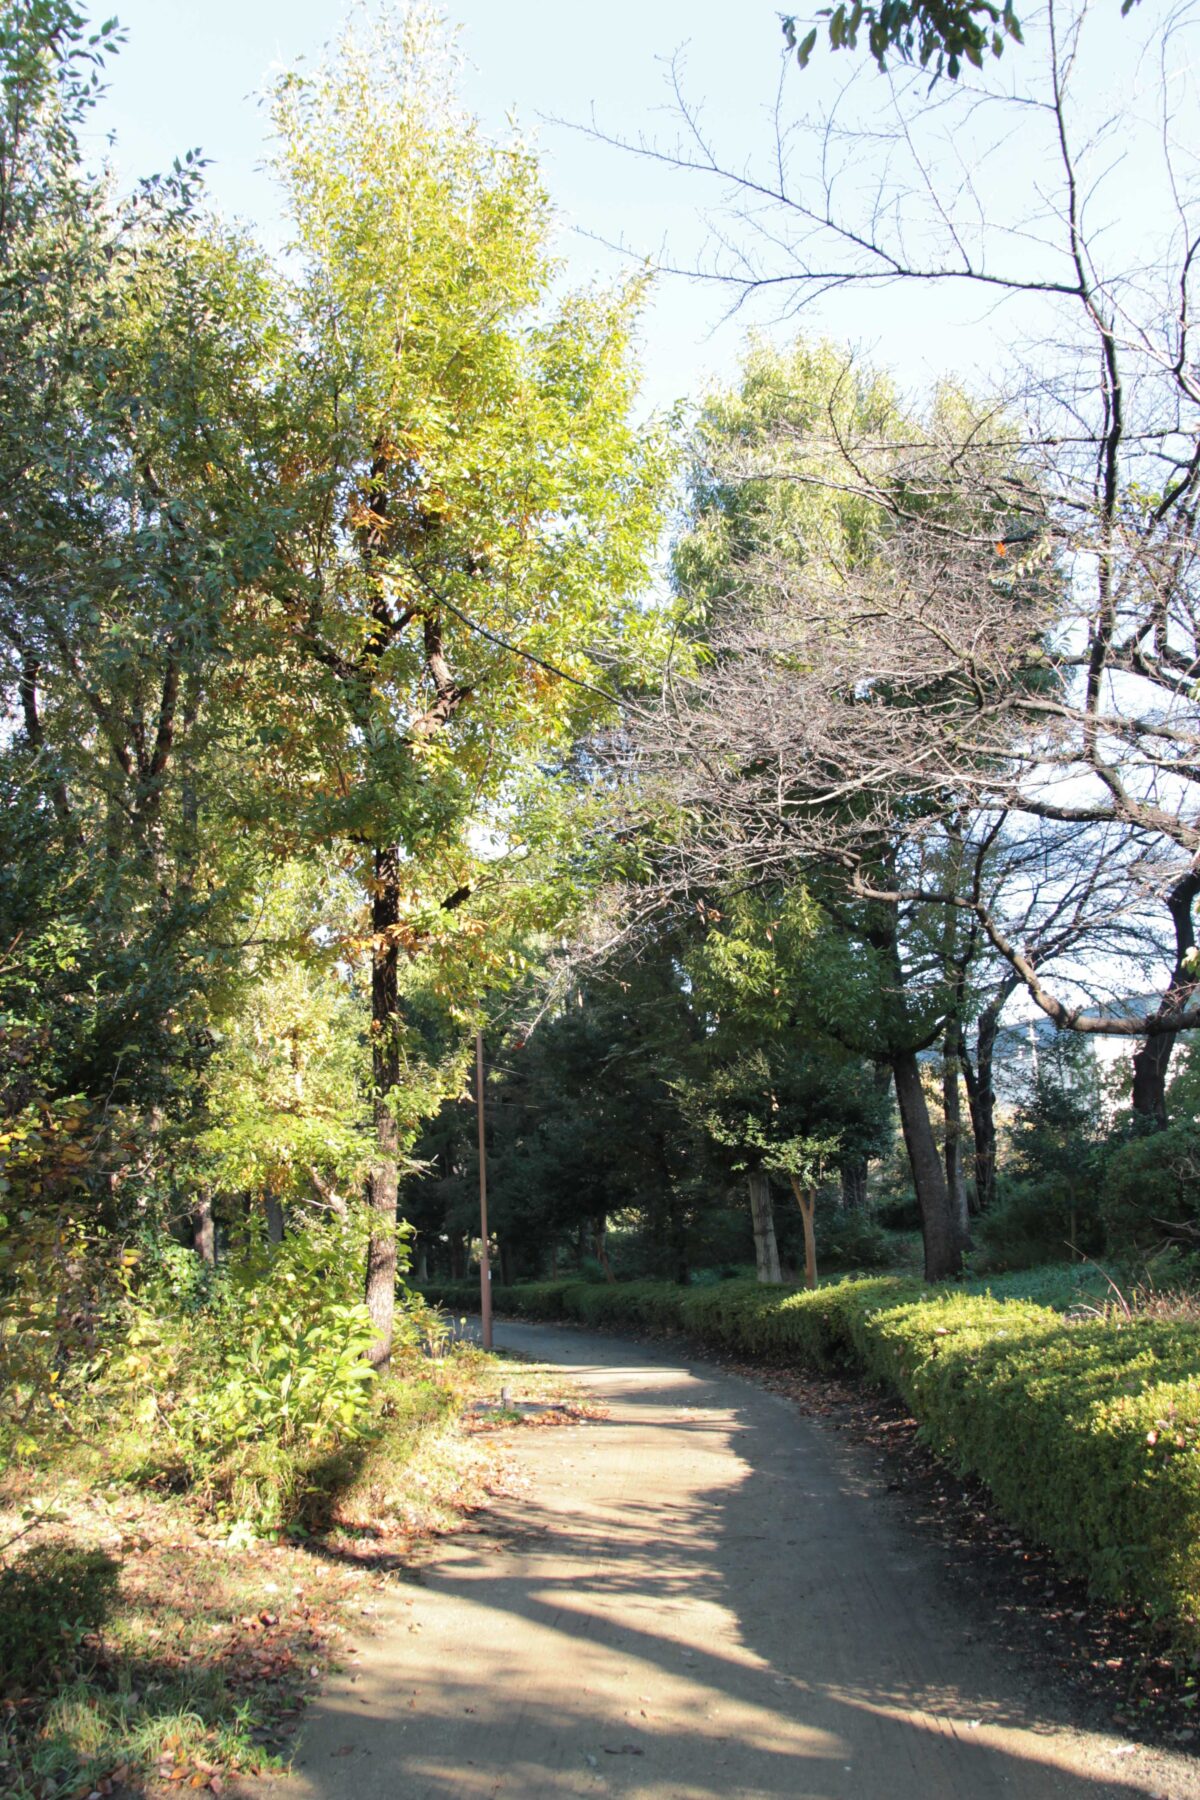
(1025, 638)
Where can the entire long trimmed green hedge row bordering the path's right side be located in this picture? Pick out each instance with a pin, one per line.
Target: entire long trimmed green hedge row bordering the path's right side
(1088, 1434)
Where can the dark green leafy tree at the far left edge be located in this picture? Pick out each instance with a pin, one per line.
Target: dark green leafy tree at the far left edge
(134, 373)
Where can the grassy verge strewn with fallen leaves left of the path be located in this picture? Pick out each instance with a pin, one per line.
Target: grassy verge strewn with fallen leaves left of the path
(148, 1642)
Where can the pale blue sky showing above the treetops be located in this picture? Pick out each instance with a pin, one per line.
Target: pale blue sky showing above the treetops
(193, 71)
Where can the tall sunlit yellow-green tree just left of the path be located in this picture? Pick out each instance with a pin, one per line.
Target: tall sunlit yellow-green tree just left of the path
(476, 514)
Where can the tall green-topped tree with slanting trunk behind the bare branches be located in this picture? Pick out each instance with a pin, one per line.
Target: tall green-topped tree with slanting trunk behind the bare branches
(744, 755)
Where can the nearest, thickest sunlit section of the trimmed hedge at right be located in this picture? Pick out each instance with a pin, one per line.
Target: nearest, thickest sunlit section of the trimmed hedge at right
(1086, 1434)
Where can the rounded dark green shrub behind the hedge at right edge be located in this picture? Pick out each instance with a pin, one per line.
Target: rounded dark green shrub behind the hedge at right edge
(1151, 1192)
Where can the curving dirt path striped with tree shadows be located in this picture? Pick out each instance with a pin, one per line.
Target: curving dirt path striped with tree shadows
(703, 1596)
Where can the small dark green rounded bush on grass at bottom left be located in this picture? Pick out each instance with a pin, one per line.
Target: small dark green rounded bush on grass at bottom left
(53, 1599)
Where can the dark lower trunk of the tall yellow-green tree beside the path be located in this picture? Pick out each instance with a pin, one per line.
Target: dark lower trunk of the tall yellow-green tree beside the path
(384, 1178)
